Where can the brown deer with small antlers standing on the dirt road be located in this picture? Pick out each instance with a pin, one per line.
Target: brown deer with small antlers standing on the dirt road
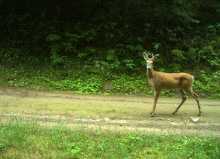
(168, 81)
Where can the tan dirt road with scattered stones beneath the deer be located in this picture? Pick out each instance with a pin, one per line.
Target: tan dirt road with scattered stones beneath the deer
(127, 113)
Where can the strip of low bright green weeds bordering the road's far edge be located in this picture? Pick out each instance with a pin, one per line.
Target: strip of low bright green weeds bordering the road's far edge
(89, 80)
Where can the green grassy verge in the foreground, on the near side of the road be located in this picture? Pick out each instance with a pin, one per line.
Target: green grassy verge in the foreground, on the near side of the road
(27, 138)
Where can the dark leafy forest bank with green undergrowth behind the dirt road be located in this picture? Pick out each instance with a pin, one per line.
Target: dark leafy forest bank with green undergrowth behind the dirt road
(95, 46)
